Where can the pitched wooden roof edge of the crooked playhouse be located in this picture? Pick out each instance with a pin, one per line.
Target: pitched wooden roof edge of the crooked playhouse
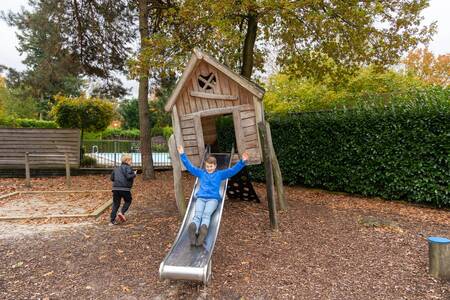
(196, 58)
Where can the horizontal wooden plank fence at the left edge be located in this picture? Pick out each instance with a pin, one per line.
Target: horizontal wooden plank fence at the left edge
(17, 141)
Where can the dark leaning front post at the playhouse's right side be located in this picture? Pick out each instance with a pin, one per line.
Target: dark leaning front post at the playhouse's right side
(269, 177)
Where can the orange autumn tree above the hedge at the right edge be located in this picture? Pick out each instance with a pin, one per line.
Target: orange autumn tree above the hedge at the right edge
(428, 67)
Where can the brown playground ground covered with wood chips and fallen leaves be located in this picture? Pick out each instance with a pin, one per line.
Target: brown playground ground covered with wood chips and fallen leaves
(329, 246)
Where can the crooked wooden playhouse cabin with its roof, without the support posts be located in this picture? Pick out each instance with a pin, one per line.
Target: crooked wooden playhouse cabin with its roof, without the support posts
(207, 90)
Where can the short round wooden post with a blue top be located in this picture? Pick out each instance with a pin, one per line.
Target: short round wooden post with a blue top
(439, 257)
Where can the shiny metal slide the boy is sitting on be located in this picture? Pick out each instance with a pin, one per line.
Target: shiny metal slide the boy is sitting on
(186, 262)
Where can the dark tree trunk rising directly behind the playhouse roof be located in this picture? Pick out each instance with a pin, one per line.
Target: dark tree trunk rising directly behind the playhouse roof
(249, 45)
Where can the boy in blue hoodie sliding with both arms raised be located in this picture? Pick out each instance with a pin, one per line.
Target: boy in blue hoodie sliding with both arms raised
(208, 195)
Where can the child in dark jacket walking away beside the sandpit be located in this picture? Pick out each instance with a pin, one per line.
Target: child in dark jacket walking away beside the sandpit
(122, 178)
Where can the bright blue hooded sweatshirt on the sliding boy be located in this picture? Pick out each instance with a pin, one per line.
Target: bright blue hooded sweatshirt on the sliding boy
(210, 183)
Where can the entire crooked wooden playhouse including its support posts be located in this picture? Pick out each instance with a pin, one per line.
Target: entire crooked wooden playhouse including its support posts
(207, 90)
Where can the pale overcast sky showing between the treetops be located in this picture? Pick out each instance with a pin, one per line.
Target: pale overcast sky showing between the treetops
(9, 56)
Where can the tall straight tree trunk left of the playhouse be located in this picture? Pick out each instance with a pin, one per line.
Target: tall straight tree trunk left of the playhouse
(144, 123)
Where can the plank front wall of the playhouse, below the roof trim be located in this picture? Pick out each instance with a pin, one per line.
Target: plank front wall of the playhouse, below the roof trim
(189, 109)
